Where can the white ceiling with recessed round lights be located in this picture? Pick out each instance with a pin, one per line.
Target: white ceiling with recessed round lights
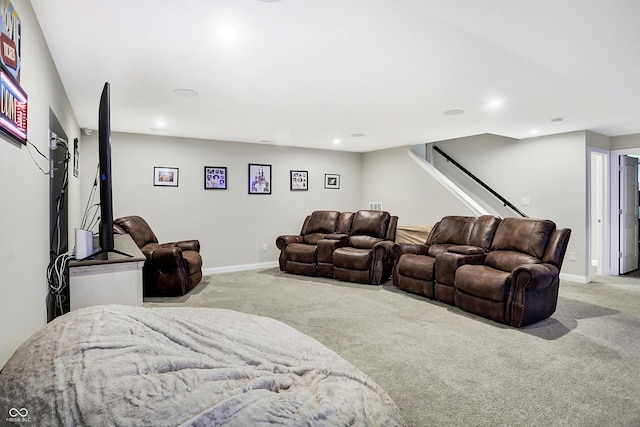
(305, 72)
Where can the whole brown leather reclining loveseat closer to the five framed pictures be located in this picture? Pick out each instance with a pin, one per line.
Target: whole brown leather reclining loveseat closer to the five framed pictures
(354, 247)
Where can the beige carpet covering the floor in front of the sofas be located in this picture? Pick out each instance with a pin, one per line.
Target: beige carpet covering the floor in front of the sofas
(445, 367)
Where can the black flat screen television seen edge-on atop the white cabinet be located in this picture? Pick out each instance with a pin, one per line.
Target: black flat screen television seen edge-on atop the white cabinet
(105, 231)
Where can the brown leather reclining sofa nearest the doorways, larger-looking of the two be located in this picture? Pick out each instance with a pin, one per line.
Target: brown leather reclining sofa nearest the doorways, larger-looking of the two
(504, 270)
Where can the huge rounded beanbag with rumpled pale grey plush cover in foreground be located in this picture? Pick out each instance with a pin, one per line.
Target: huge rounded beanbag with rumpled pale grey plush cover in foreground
(116, 365)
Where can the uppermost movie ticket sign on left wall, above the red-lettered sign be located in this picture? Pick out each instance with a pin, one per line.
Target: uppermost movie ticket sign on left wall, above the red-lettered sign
(10, 39)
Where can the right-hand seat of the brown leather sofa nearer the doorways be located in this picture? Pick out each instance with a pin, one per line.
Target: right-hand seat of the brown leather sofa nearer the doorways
(518, 282)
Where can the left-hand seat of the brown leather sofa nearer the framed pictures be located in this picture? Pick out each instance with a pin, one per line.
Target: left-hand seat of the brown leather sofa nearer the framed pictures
(299, 253)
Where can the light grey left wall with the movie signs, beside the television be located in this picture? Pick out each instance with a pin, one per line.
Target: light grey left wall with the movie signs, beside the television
(25, 193)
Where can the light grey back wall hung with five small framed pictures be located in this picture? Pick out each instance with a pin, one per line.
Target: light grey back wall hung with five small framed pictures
(231, 225)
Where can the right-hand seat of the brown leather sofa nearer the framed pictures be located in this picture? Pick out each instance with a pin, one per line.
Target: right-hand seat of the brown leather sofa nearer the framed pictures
(367, 254)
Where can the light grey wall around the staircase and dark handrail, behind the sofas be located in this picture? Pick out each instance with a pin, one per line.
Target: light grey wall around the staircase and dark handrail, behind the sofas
(549, 171)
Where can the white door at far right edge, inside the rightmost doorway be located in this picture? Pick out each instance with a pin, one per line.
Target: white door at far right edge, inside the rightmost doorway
(628, 214)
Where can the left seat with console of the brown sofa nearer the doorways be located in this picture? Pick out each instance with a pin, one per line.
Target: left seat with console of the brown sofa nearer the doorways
(428, 269)
